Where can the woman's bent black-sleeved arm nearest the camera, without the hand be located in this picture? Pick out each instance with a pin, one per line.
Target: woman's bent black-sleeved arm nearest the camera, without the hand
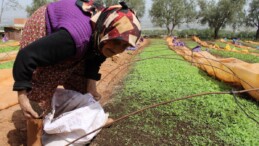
(46, 51)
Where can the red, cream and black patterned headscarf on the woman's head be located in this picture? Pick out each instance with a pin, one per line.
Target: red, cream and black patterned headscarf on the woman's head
(114, 22)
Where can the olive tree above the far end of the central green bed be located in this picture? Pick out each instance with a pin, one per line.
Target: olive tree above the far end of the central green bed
(172, 13)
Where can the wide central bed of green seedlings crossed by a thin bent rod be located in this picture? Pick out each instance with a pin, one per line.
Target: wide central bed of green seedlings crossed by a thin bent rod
(207, 120)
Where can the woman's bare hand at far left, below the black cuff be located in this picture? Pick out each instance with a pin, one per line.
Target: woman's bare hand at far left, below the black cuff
(26, 106)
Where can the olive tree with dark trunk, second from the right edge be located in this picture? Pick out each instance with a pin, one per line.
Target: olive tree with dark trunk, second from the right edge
(218, 13)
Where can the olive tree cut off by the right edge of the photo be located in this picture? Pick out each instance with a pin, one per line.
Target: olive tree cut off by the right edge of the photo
(252, 18)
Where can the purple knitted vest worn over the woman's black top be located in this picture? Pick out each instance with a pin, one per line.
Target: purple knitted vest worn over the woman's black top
(66, 14)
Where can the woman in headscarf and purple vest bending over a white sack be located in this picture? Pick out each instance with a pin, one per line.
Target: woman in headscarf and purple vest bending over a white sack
(64, 43)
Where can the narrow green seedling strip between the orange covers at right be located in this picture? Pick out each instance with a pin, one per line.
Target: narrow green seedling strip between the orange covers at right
(227, 54)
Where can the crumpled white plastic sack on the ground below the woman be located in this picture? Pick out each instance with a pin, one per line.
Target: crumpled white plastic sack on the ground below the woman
(73, 115)
